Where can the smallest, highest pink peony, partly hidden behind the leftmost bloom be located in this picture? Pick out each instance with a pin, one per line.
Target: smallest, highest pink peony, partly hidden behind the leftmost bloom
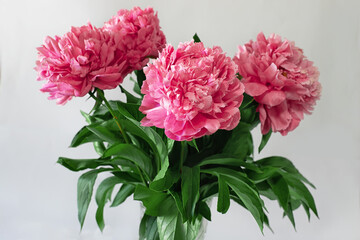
(137, 34)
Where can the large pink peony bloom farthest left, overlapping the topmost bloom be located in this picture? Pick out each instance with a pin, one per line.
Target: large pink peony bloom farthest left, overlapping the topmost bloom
(84, 58)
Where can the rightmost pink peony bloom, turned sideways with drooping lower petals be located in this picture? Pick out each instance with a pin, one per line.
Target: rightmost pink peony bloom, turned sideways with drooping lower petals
(281, 80)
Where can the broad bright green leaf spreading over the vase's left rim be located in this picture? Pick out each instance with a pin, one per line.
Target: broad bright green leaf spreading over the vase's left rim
(156, 203)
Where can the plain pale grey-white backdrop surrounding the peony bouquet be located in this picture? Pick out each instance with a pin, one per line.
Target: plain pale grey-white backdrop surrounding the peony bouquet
(38, 196)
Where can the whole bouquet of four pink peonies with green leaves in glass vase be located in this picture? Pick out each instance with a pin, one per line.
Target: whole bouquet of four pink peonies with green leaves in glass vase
(184, 134)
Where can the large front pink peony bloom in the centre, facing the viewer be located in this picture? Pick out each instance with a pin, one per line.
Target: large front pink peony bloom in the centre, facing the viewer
(191, 92)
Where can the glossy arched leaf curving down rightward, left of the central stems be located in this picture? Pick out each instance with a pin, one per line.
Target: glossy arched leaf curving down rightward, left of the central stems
(131, 153)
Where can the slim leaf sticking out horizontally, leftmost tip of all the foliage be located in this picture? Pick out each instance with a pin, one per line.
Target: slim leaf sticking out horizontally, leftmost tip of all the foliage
(79, 164)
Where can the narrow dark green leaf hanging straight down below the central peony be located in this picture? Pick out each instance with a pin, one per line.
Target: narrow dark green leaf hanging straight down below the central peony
(190, 185)
